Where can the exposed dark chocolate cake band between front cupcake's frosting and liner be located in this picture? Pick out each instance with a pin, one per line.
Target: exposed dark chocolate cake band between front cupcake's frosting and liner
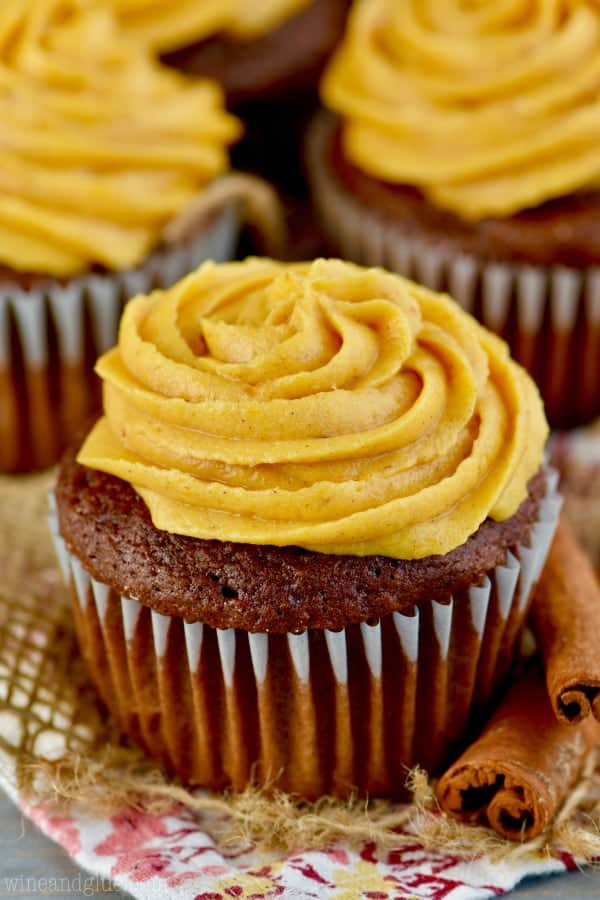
(261, 588)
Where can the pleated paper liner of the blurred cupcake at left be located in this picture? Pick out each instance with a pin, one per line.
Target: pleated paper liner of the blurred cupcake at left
(50, 338)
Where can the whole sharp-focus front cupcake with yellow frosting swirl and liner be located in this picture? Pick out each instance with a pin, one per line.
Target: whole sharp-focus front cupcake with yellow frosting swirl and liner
(302, 538)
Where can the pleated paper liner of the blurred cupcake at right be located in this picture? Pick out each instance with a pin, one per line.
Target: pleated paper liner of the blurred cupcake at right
(550, 316)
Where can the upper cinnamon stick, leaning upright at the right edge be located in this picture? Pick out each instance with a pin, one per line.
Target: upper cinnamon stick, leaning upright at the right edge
(565, 618)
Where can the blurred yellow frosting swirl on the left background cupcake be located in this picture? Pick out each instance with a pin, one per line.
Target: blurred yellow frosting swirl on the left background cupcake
(101, 146)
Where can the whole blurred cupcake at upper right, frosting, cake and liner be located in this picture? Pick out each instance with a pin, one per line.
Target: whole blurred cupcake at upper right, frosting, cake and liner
(460, 149)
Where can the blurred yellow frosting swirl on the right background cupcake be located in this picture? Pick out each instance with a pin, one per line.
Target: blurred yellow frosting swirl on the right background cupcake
(488, 108)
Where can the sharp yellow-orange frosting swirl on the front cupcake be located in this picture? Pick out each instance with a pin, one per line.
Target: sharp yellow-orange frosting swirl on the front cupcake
(323, 405)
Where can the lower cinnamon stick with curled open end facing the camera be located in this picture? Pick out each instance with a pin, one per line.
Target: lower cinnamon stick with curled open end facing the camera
(516, 775)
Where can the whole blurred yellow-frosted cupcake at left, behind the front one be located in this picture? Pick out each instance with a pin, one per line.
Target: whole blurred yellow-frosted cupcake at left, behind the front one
(102, 148)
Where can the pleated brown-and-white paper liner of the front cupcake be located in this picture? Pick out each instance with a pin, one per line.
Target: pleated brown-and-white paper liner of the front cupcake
(316, 712)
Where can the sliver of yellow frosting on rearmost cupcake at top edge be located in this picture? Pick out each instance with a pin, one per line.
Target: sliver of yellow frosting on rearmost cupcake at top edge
(167, 26)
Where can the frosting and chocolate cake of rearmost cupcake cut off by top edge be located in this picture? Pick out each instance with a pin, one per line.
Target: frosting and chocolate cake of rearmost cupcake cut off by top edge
(255, 50)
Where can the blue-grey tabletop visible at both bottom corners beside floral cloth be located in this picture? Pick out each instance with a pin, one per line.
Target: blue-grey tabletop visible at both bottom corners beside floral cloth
(25, 851)
